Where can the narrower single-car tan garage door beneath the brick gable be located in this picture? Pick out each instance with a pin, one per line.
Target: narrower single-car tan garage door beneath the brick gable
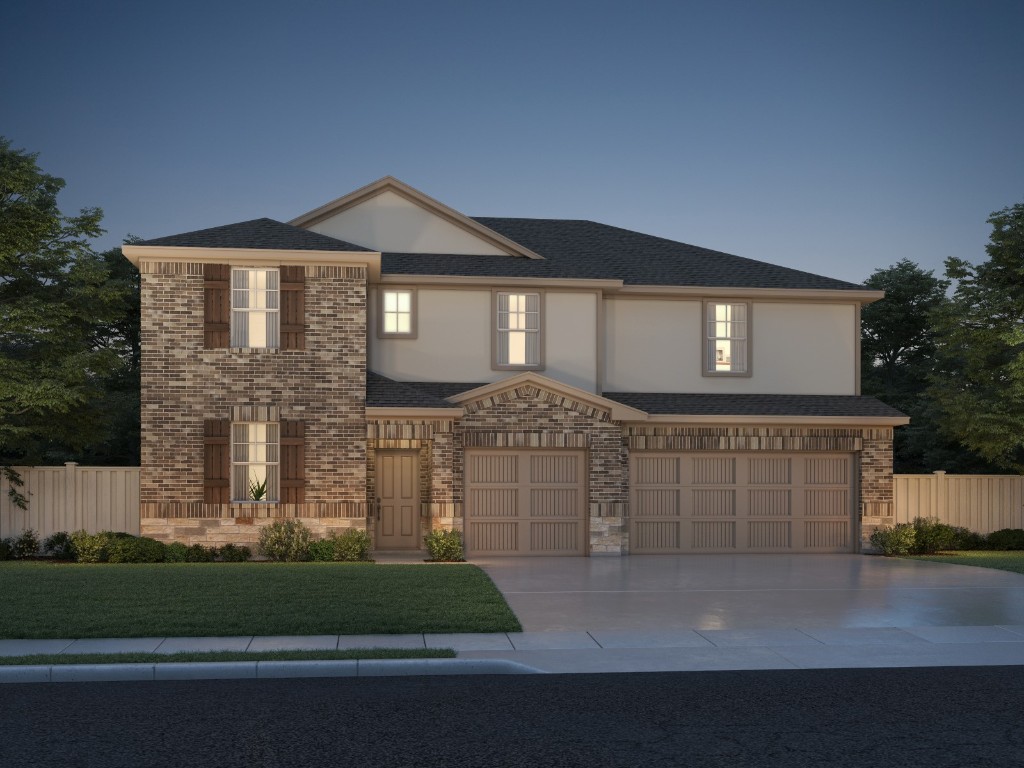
(526, 502)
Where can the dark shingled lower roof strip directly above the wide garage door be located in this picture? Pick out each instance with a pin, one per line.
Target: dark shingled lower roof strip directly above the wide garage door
(754, 405)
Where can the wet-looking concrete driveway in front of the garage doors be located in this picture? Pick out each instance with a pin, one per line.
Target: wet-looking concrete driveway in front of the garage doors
(738, 592)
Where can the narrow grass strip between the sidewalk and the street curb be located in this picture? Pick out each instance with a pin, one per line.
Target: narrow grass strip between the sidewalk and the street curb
(49, 660)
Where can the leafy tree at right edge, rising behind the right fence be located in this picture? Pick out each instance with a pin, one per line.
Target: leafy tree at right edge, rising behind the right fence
(978, 383)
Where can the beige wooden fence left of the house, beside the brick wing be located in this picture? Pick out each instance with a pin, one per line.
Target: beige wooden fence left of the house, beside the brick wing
(71, 498)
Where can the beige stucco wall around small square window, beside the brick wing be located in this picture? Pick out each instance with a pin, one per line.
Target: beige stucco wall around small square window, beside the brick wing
(453, 342)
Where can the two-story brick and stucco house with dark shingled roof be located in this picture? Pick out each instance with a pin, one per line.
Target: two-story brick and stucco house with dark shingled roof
(550, 388)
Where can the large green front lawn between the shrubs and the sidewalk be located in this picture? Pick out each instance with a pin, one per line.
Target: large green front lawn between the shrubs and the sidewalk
(52, 601)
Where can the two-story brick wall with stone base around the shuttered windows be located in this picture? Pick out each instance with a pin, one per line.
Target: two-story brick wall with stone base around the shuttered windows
(184, 385)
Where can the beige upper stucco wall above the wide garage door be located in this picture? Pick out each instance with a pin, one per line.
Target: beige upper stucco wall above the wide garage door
(799, 349)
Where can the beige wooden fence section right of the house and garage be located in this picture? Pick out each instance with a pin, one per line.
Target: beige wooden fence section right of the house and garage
(982, 503)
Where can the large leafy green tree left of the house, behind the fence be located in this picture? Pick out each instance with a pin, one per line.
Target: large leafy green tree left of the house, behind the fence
(56, 297)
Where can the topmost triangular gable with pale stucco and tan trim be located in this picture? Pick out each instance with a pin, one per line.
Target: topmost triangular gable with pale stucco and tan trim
(391, 217)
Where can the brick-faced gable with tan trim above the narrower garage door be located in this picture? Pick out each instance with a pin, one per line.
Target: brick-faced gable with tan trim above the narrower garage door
(534, 387)
